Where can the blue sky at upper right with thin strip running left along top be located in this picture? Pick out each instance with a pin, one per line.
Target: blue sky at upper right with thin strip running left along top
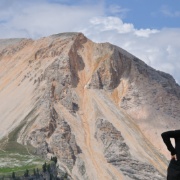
(142, 13)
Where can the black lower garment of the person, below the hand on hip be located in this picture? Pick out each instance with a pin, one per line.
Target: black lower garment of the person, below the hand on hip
(173, 170)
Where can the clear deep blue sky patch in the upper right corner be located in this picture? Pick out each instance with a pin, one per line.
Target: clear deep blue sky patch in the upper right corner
(150, 14)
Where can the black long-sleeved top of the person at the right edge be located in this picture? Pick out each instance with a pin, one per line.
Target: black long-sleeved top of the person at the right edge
(166, 138)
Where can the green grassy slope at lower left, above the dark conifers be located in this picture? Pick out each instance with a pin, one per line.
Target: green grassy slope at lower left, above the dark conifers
(18, 157)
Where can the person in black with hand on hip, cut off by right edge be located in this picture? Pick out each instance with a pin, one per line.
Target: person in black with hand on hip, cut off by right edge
(173, 171)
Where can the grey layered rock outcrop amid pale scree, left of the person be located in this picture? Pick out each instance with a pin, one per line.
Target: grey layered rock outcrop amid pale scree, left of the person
(117, 153)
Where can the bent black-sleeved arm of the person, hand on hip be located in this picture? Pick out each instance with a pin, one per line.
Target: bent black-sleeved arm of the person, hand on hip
(166, 138)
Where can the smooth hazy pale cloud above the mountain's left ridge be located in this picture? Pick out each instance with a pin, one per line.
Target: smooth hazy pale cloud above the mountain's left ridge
(42, 19)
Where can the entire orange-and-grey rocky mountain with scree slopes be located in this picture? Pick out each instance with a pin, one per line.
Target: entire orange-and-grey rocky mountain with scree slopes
(97, 108)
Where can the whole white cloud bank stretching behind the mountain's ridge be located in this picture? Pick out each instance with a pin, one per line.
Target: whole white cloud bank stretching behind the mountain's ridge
(158, 48)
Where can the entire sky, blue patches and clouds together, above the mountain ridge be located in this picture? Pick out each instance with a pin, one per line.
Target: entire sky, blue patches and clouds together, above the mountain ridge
(147, 29)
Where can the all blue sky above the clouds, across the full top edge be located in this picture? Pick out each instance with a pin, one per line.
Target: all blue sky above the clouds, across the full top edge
(141, 13)
